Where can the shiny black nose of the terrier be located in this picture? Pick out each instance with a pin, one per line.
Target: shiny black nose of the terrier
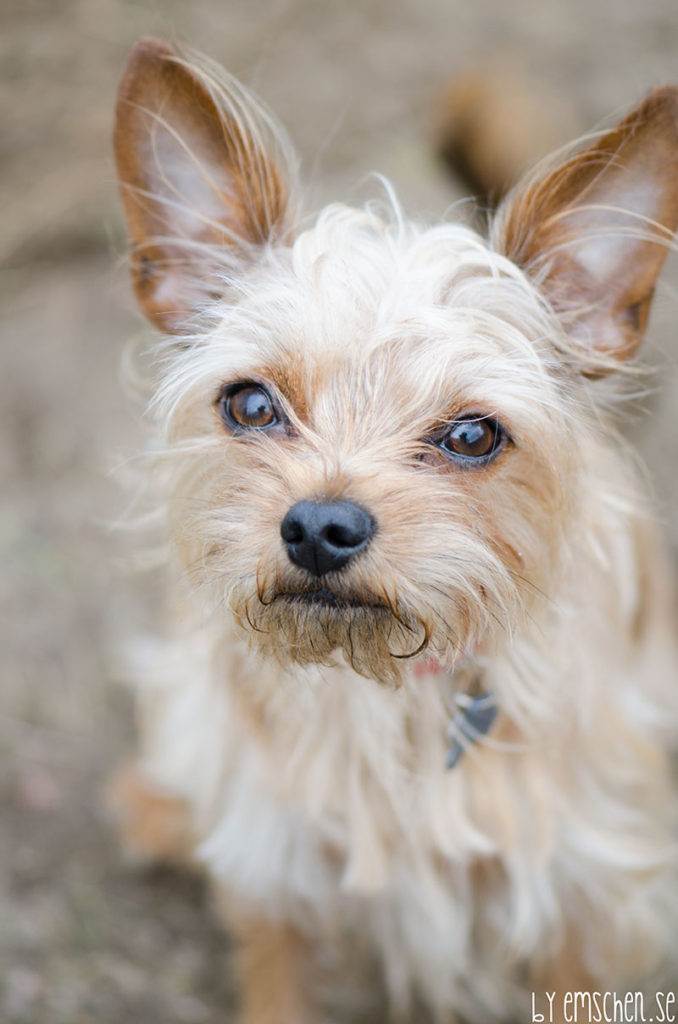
(323, 537)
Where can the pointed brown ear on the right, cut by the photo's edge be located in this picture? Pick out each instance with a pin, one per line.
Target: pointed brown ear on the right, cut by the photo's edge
(596, 231)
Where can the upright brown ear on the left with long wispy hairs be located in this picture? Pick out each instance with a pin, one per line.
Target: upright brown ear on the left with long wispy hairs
(201, 166)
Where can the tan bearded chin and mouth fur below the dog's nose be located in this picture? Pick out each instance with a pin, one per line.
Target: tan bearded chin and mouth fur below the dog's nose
(318, 626)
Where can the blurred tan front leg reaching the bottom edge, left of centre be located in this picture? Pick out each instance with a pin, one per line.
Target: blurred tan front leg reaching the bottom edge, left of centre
(275, 973)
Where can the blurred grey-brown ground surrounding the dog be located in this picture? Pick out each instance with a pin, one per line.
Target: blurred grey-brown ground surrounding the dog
(86, 940)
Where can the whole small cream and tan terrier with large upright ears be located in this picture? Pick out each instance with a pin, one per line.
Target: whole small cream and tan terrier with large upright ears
(417, 712)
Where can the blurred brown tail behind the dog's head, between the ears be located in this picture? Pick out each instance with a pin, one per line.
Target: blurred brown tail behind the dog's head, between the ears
(494, 124)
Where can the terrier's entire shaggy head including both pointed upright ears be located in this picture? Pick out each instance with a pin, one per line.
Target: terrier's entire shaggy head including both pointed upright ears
(380, 433)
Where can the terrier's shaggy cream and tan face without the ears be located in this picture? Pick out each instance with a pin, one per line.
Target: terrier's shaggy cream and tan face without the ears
(380, 452)
